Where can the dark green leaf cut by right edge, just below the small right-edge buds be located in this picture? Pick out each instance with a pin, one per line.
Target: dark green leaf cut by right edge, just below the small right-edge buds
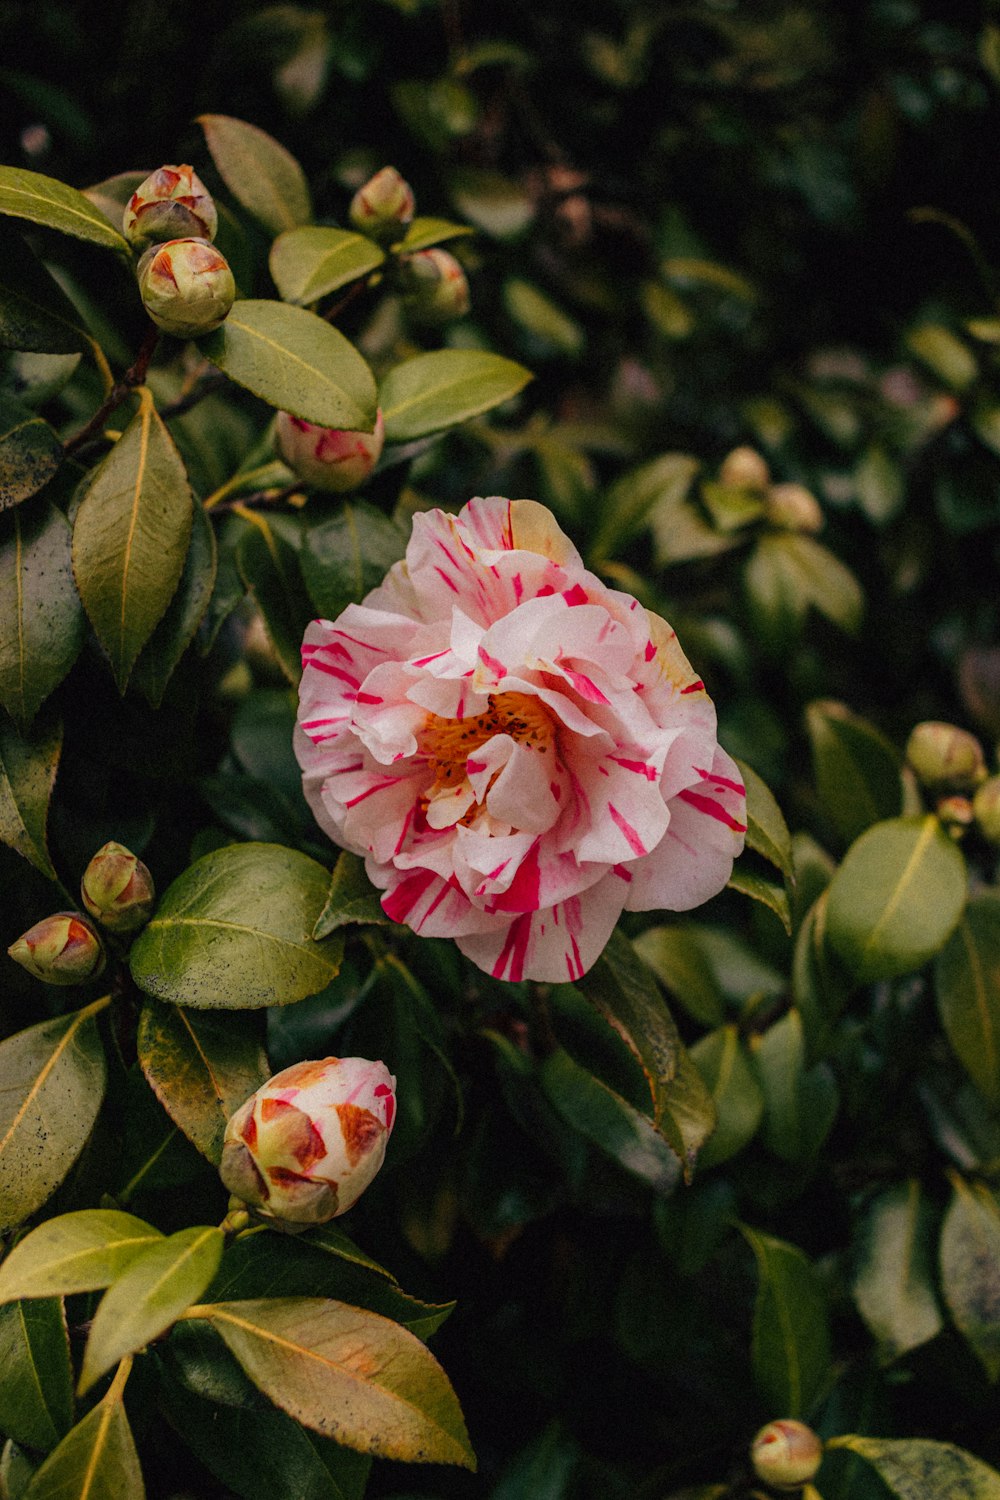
(968, 980)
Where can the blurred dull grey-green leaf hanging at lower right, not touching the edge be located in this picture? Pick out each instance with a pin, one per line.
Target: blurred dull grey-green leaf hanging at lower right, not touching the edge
(894, 1279)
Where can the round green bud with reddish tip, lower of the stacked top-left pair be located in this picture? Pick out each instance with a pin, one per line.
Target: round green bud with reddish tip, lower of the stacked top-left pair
(187, 287)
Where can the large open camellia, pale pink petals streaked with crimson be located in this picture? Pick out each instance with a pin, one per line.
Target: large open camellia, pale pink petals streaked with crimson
(518, 751)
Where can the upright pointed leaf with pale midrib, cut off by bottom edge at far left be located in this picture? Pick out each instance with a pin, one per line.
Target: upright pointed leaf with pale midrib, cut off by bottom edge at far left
(95, 1462)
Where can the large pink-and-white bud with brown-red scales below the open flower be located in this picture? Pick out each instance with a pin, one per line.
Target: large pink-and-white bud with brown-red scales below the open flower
(307, 1145)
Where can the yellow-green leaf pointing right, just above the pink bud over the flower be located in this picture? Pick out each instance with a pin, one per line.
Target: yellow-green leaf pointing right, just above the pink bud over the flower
(433, 392)
